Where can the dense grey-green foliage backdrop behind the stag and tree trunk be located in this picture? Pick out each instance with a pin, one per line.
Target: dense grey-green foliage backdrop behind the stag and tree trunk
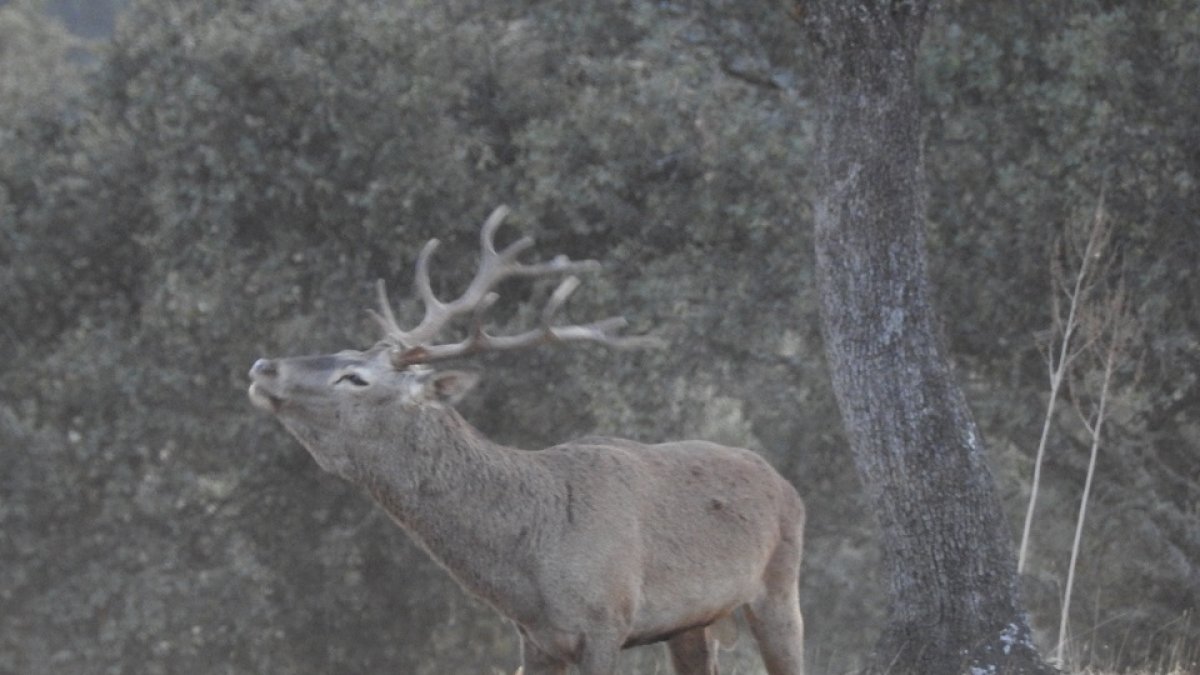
(200, 184)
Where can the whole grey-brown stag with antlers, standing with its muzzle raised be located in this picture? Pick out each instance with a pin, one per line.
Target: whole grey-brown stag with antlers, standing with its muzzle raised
(590, 547)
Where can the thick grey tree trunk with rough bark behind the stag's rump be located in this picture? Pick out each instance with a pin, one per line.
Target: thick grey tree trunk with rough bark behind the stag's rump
(947, 547)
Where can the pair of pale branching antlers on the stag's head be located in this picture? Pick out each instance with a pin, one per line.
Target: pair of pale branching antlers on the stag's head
(415, 347)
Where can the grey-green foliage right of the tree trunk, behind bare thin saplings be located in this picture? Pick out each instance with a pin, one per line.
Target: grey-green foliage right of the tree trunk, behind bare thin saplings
(1033, 114)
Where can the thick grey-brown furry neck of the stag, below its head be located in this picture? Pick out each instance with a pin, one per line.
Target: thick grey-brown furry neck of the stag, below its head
(472, 504)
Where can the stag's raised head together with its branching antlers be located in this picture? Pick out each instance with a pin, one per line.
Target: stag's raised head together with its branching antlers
(329, 402)
